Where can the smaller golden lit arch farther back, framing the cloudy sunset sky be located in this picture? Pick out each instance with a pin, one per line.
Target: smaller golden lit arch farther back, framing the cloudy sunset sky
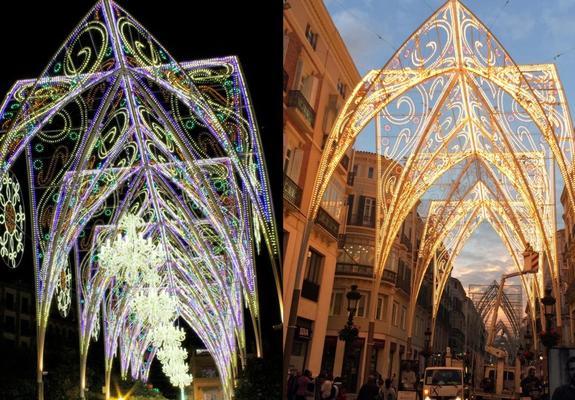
(451, 222)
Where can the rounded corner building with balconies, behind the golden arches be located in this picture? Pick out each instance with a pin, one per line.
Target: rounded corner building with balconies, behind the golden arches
(355, 267)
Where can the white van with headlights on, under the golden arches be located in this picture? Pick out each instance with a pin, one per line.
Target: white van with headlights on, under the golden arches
(445, 383)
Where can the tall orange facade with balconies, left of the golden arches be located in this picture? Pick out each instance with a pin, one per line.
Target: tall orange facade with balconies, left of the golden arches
(319, 74)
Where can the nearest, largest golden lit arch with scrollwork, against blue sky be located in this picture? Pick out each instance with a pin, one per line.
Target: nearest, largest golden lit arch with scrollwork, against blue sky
(440, 56)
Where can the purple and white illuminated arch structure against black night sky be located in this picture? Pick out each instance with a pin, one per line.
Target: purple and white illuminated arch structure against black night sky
(114, 125)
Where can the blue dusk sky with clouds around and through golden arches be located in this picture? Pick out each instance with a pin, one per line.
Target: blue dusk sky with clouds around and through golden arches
(532, 31)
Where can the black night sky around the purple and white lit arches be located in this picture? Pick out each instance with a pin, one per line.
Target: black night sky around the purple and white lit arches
(190, 30)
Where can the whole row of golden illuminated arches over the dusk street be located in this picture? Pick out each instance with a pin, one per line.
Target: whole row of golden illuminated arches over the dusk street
(470, 131)
